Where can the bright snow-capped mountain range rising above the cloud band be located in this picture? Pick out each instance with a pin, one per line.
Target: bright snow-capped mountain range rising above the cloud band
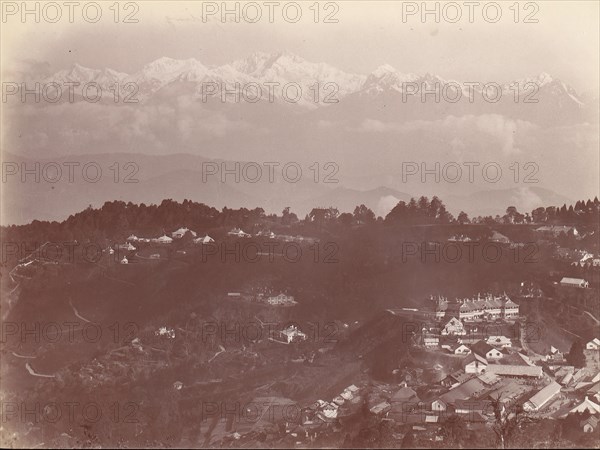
(264, 75)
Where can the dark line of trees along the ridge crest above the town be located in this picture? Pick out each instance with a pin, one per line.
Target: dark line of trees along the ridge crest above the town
(117, 219)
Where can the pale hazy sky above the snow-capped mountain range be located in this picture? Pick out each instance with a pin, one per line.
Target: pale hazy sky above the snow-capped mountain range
(563, 43)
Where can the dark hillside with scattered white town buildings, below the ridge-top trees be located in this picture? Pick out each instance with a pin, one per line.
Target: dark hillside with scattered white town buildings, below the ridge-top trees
(513, 358)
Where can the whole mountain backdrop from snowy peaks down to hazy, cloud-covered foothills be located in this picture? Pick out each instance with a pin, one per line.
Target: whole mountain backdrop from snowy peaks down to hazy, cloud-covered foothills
(374, 128)
